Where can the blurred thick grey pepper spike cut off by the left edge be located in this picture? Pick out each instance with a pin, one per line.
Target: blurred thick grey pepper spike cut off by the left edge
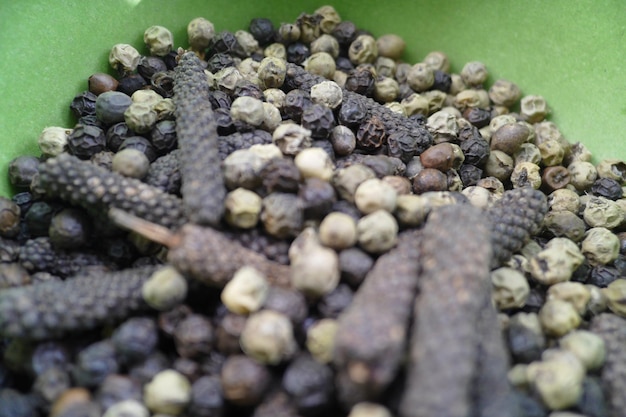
(51, 309)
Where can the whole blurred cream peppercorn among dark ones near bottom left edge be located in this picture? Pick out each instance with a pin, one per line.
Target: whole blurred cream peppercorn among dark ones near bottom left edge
(168, 392)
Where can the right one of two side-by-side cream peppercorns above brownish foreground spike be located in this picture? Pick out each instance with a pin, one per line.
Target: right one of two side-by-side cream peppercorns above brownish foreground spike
(377, 231)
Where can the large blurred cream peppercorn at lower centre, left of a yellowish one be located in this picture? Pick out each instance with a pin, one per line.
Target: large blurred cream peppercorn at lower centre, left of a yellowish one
(268, 337)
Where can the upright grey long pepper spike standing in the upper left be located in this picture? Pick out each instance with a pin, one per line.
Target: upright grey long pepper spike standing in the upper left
(202, 188)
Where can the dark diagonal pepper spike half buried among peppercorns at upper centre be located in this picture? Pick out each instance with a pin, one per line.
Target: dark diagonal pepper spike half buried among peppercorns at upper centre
(298, 77)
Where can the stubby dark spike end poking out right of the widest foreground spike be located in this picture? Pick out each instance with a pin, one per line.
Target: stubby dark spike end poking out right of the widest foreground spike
(515, 218)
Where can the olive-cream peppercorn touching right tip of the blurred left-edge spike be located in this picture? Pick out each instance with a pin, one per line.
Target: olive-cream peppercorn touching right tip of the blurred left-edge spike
(165, 289)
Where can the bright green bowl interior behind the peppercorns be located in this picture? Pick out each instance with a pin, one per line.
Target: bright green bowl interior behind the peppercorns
(570, 52)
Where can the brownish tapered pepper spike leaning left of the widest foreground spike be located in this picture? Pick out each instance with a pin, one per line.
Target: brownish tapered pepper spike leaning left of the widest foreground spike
(372, 331)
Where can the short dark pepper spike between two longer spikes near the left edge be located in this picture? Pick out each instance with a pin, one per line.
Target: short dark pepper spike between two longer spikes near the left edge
(38, 254)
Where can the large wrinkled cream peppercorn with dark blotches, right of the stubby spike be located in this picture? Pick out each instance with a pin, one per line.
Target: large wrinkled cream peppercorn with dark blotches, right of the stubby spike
(556, 262)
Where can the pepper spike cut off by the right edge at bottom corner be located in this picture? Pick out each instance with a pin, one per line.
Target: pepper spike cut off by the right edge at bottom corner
(612, 329)
